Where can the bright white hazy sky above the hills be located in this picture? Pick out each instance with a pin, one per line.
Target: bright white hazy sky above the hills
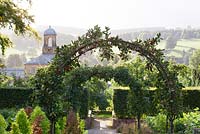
(117, 14)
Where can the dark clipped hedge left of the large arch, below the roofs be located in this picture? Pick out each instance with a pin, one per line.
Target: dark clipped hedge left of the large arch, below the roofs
(14, 97)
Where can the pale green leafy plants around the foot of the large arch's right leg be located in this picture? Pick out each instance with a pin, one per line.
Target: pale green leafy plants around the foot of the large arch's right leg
(186, 124)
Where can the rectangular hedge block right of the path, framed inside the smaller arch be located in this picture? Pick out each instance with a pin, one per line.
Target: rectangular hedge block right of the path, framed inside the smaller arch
(120, 100)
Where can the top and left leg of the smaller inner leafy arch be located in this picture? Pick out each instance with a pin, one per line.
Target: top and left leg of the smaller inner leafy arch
(72, 83)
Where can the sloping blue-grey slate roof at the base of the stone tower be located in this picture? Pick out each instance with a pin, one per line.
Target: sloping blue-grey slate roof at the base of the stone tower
(43, 59)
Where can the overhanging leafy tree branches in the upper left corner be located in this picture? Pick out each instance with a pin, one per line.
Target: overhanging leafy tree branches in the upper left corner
(16, 18)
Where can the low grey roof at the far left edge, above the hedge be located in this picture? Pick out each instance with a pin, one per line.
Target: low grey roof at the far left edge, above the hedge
(14, 71)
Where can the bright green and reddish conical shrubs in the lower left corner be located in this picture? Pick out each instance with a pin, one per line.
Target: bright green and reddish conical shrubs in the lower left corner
(35, 121)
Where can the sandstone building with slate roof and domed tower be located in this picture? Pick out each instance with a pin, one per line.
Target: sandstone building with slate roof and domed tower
(48, 52)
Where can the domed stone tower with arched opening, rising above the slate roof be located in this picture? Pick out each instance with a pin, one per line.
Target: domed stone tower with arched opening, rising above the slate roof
(49, 46)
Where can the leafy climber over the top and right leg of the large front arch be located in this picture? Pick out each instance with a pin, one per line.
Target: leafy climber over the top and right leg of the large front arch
(67, 58)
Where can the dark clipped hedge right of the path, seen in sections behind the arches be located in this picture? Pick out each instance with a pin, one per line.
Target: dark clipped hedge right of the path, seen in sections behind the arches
(191, 100)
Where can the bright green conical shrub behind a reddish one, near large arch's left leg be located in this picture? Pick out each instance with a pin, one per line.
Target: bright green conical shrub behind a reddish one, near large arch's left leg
(44, 122)
